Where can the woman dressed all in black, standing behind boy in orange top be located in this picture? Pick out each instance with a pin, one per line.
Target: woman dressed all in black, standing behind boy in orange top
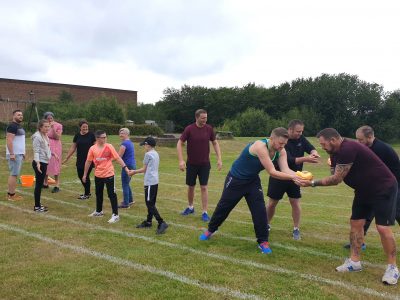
(82, 141)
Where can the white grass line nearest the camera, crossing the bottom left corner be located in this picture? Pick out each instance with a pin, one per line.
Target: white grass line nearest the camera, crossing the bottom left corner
(133, 265)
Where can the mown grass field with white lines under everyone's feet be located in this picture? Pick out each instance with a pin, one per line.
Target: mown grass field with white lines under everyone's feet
(65, 254)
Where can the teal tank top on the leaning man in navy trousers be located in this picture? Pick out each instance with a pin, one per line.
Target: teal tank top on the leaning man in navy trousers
(248, 165)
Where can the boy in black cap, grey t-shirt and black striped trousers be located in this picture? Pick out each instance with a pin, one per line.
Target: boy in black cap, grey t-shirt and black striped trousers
(150, 169)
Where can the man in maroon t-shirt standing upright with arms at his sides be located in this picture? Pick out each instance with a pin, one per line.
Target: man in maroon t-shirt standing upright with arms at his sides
(198, 136)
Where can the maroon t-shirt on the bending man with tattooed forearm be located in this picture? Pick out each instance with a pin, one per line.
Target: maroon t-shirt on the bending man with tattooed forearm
(368, 174)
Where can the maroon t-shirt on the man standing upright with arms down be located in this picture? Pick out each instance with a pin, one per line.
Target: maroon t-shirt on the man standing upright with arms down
(198, 143)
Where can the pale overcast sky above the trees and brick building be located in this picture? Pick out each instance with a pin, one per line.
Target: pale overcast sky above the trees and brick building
(150, 45)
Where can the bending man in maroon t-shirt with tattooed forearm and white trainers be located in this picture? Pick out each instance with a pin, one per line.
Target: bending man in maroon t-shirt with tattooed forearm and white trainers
(375, 191)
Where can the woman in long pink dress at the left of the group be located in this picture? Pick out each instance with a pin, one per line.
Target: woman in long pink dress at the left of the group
(54, 167)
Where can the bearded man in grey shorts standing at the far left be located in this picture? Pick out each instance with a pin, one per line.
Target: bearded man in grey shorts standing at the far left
(15, 152)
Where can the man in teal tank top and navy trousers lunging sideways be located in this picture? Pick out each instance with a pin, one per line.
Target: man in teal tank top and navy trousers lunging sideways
(243, 181)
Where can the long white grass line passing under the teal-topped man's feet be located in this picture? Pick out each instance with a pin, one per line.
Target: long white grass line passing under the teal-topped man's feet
(249, 239)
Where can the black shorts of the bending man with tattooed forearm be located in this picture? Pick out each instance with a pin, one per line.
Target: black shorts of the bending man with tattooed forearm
(382, 205)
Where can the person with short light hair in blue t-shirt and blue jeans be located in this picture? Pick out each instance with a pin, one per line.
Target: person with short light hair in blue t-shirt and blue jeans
(127, 153)
